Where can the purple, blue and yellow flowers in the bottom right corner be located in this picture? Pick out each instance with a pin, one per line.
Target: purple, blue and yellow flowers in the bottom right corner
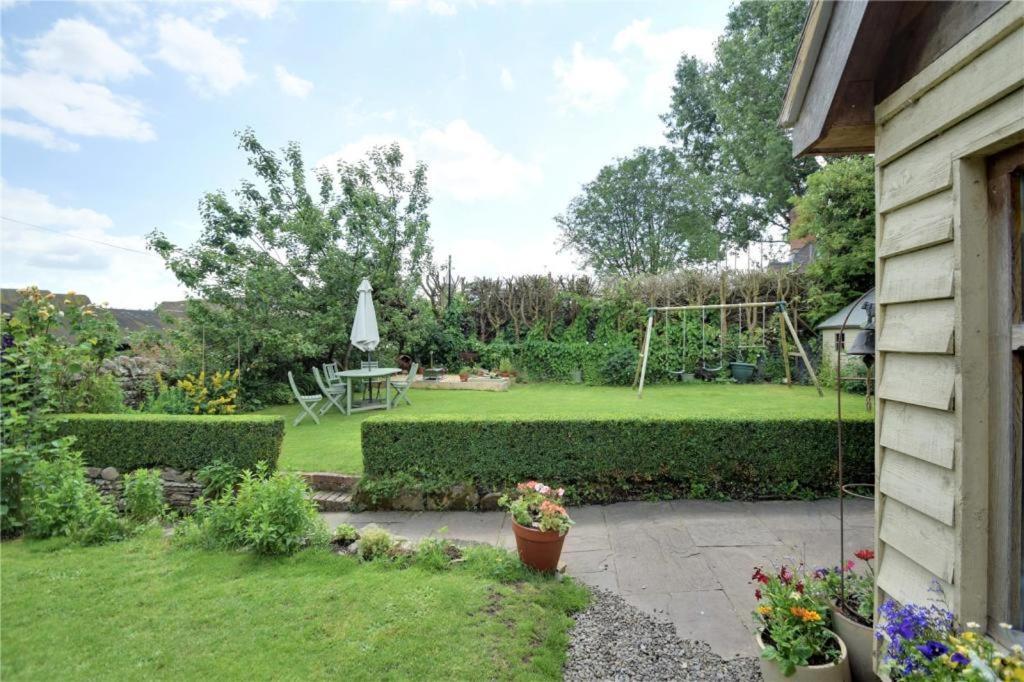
(925, 644)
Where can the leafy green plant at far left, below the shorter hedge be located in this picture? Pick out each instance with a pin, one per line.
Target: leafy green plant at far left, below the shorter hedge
(61, 503)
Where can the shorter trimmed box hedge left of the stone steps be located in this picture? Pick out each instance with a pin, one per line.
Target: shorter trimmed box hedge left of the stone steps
(181, 442)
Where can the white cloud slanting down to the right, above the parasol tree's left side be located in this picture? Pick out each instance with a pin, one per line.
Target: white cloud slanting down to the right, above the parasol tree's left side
(212, 66)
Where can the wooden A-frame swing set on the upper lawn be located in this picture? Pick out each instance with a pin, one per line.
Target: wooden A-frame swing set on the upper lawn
(786, 325)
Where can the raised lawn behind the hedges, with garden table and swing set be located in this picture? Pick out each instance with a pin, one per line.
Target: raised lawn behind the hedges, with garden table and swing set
(335, 446)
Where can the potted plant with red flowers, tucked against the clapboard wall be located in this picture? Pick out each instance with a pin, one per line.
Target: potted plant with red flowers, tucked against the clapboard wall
(851, 595)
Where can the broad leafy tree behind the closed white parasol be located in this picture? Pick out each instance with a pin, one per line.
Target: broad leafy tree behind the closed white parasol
(273, 278)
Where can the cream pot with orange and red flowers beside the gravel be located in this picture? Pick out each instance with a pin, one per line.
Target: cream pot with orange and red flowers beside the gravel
(794, 636)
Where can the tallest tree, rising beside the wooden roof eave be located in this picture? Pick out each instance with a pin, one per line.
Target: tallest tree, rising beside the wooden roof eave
(723, 116)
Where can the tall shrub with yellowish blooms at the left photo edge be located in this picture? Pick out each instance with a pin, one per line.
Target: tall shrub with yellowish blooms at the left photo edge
(52, 353)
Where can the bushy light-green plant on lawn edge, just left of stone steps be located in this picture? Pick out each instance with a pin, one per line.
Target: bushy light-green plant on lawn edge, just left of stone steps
(273, 516)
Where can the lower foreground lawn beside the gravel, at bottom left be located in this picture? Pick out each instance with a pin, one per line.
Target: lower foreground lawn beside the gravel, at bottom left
(143, 611)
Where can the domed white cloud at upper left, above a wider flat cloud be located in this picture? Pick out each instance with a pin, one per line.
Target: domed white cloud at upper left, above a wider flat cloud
(76, 48)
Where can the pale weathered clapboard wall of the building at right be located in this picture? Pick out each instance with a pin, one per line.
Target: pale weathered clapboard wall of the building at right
(931, 452)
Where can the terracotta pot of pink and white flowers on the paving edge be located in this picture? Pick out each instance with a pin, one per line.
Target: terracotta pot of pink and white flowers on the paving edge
(540, 523)
